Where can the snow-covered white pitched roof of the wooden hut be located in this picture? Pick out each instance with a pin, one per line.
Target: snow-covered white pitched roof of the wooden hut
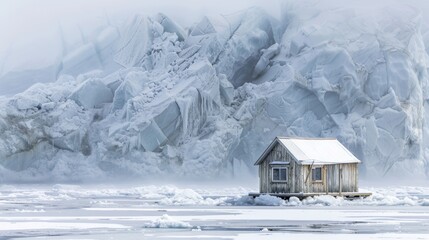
(314, 150)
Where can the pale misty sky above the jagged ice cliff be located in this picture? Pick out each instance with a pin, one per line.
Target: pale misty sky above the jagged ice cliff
(29, 28)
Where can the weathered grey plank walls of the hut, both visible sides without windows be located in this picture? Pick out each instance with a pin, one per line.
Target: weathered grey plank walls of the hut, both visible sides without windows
(335, 177)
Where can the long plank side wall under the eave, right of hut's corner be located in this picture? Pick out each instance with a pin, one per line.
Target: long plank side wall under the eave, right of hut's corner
(334, 177)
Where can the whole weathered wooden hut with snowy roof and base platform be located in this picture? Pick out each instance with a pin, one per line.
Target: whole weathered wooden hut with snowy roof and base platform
(306, 167)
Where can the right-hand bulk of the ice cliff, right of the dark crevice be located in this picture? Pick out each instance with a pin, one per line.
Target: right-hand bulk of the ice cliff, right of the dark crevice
(365, 86)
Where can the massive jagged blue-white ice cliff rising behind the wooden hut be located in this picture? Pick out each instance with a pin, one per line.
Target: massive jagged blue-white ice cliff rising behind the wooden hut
(205, 100)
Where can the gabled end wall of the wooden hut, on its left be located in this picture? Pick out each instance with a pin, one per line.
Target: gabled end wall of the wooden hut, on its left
(278, 154)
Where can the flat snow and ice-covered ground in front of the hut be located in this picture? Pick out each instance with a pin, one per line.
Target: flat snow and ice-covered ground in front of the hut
(171, 212)
